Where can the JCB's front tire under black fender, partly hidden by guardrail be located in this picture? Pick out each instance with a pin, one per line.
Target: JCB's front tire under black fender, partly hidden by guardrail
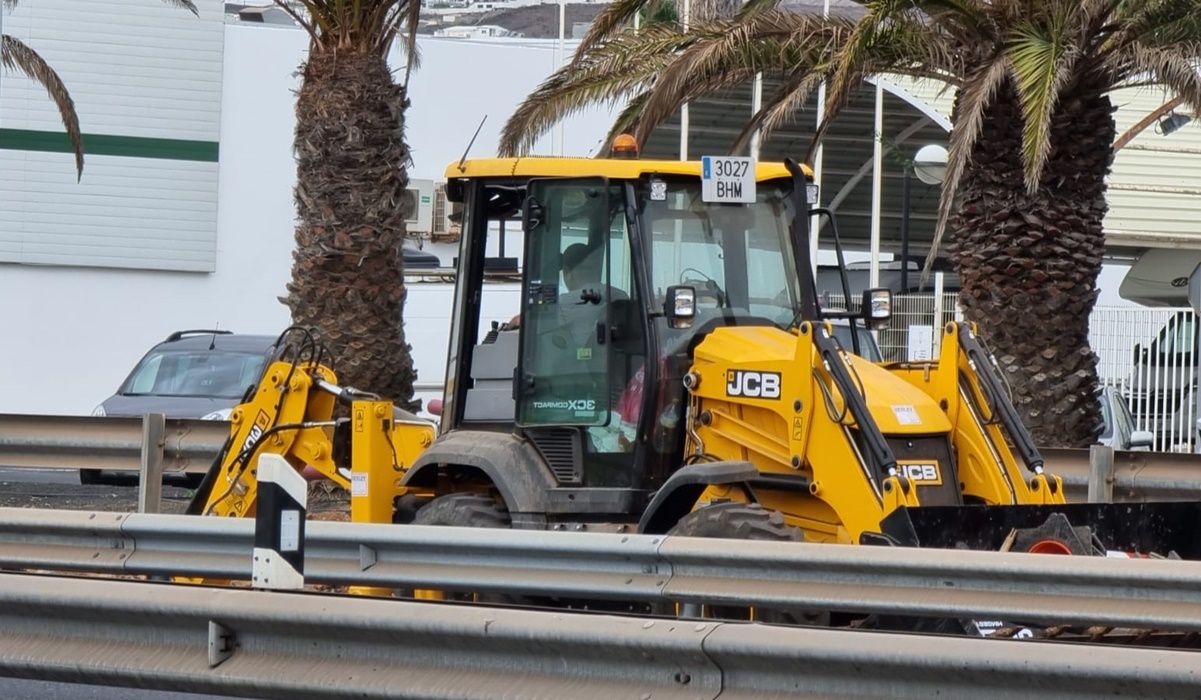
(748, 522)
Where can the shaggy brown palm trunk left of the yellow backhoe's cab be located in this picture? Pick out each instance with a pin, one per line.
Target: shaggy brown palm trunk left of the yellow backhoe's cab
(348, 273)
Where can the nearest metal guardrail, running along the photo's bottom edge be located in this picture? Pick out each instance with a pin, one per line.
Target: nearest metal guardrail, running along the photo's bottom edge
(300, 647)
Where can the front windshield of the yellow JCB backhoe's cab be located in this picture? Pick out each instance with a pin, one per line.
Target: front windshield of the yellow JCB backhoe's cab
(738, 258)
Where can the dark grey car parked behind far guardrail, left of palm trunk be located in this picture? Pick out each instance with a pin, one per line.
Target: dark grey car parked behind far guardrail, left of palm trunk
(194, 374)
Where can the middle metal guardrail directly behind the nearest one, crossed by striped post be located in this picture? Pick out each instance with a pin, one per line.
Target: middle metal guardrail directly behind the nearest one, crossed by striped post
(1035, 589)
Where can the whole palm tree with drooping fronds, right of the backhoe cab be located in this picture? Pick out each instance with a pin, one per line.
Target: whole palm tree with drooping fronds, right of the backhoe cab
(1030, 152)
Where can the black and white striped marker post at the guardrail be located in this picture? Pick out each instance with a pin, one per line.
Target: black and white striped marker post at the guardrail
(279, 525)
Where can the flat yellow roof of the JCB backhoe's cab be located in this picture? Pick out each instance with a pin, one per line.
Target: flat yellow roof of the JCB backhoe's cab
(612, 169)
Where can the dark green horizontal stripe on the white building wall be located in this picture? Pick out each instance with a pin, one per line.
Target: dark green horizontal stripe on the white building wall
(103, 145)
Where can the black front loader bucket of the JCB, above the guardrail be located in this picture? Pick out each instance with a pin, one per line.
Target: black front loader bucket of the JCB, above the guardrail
(1137, 529)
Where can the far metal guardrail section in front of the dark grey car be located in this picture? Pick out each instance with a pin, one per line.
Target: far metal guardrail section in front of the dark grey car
(75, 442)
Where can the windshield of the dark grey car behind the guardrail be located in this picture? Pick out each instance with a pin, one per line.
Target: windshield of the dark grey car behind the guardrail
(208, 374)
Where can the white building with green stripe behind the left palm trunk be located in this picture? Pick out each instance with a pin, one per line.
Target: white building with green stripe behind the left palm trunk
(93, 274)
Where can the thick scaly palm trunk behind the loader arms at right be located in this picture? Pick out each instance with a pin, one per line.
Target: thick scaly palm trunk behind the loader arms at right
(1029, 264)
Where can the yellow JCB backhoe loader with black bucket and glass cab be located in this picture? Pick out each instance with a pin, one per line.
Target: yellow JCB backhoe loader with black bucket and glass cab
(674, 370)
